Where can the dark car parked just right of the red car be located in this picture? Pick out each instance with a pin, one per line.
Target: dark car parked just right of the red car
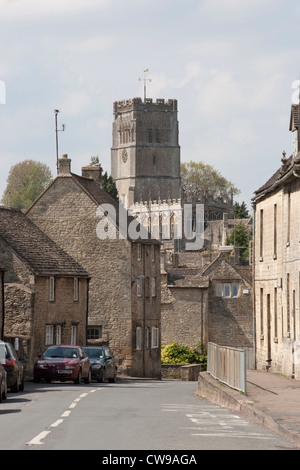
(103, 363)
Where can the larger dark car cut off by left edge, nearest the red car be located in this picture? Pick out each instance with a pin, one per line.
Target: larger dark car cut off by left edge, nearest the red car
(13, 366)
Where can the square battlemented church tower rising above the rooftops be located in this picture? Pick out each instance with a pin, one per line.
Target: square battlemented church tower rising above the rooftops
(145, 153)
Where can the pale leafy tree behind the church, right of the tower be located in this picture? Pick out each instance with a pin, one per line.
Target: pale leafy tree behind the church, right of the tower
(200, 179)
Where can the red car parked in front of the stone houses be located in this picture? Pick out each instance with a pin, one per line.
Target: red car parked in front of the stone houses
(63, 363)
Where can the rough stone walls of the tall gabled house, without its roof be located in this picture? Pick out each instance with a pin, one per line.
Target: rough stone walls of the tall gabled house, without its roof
(67, 214)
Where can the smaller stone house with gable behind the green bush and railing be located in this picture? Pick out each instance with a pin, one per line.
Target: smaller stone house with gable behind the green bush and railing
(207, 301)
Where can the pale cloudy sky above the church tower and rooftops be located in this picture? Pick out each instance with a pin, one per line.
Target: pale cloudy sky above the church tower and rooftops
(232, 65)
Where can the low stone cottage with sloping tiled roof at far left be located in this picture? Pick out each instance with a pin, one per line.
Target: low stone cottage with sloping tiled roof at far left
(46, 291)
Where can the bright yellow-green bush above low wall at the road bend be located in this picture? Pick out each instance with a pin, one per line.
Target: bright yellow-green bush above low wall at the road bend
(176, 354)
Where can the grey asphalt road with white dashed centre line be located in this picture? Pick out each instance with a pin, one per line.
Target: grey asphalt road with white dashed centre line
(129, 415)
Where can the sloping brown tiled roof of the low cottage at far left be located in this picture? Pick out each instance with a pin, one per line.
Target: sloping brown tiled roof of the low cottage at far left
(34, 248)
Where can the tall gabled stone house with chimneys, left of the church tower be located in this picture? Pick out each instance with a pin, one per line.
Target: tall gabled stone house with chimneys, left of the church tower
(124, 292)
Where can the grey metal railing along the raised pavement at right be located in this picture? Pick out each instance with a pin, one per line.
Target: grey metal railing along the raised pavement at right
(227, 365)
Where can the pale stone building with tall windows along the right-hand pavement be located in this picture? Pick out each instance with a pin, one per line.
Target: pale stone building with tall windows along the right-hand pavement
(277, 265)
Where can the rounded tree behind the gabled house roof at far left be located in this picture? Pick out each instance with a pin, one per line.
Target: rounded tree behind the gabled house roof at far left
(25, 182)
